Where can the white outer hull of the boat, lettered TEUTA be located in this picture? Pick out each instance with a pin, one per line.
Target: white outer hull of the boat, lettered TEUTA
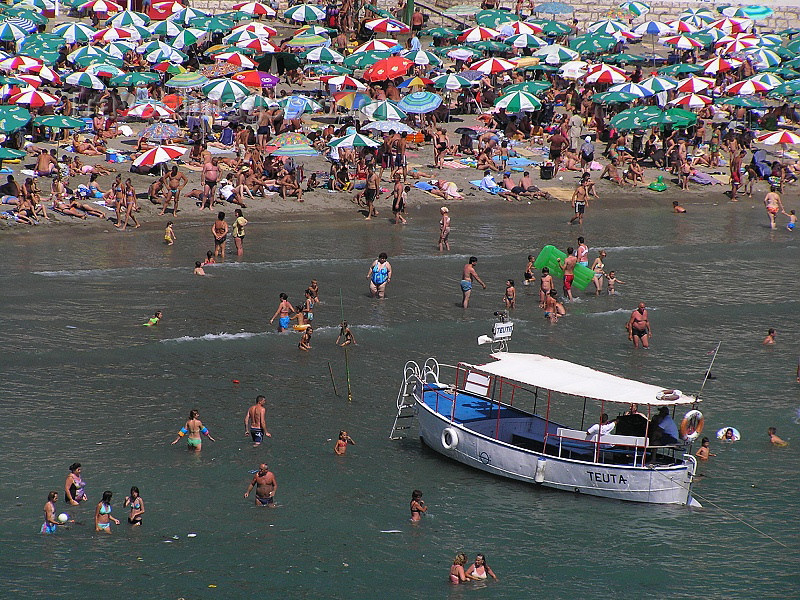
(657, 485)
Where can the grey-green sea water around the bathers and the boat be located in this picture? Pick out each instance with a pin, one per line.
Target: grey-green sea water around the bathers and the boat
(85, 382)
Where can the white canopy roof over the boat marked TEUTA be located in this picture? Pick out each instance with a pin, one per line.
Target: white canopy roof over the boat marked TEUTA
(568, 378)
